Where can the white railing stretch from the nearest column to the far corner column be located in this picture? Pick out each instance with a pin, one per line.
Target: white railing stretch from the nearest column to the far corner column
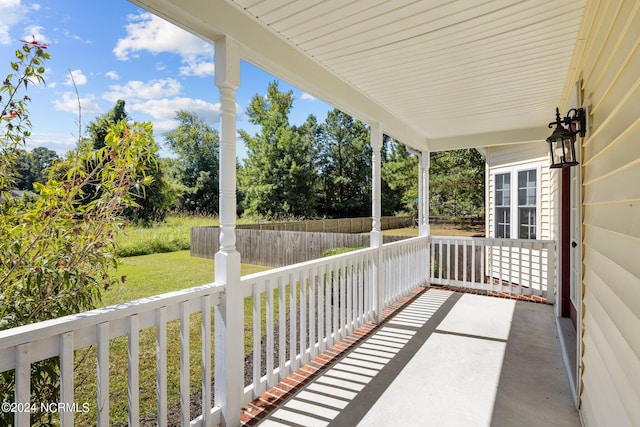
(311, 305)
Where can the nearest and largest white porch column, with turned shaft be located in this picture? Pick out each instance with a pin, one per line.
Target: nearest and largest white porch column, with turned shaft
(229, 315)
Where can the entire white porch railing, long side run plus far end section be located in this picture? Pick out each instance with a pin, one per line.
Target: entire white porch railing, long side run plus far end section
(298, 311)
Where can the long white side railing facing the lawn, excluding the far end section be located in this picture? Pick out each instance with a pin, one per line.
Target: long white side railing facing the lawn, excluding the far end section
(322, 301)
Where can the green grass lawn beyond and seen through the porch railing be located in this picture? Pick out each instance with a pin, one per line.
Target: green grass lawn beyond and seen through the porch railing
(170, 268)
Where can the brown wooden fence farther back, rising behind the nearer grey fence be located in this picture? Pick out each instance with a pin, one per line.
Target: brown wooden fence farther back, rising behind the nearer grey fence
(341, 225)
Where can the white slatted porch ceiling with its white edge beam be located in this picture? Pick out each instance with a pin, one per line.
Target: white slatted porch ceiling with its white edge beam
(438, 74)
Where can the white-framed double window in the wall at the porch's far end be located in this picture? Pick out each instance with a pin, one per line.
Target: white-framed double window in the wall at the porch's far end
(516, 216)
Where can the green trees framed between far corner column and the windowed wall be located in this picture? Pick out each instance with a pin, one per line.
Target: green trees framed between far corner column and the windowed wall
(456, 181)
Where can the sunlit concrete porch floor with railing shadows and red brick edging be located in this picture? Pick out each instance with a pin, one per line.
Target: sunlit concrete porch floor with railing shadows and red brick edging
(443, 359)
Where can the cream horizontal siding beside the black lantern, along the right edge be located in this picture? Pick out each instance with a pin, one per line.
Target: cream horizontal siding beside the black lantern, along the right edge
(608, 64)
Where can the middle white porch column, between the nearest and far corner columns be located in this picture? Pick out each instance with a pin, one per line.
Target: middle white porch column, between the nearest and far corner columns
(376, 209)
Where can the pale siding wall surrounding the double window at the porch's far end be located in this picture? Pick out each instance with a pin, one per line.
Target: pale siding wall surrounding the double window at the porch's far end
(513, 158)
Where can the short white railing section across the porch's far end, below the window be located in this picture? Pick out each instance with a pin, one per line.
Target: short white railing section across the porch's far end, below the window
(514, 266)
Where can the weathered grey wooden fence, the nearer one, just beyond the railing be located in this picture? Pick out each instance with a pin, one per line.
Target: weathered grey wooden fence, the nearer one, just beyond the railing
(277, 248)
